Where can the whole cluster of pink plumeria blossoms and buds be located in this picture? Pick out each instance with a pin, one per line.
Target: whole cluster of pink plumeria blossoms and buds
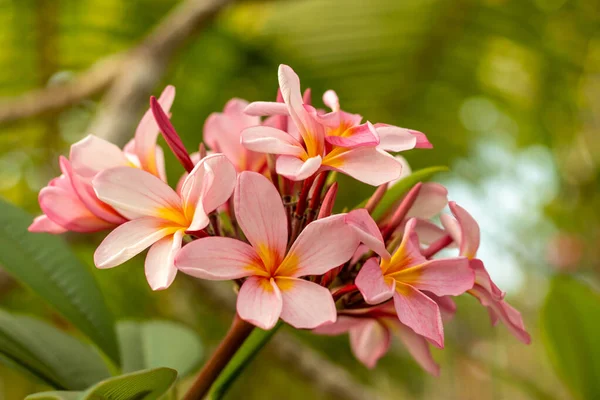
(256, 209)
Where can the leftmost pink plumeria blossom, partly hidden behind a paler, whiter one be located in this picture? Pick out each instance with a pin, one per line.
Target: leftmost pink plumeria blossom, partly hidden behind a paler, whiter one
(69, 202)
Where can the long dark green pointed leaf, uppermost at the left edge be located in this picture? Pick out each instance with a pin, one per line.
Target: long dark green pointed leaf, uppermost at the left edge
(45, 264)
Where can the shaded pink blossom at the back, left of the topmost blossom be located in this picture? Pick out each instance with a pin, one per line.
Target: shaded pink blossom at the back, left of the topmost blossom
(222, 133)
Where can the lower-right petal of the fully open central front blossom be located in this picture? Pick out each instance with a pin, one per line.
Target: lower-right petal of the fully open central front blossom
(306, 305)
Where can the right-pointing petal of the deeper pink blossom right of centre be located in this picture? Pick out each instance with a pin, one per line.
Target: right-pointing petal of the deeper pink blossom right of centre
(443, 277)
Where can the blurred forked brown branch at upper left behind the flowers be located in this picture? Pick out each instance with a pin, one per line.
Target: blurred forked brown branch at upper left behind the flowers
(129, 76)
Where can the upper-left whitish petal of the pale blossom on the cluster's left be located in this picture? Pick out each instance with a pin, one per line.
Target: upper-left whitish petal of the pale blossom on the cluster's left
(134, 192)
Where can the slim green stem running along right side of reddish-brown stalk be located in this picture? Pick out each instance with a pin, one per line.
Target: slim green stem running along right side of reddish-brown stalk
(255, 342)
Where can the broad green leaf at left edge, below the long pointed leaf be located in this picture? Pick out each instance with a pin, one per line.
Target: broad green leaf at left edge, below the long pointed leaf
(49, 354)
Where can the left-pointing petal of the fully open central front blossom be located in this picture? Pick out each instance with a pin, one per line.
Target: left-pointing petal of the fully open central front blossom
(218, 258)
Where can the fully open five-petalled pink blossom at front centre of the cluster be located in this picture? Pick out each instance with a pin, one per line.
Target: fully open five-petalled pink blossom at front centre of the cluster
(273, 287)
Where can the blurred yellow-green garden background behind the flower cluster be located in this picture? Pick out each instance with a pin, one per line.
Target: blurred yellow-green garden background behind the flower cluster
(506, 90)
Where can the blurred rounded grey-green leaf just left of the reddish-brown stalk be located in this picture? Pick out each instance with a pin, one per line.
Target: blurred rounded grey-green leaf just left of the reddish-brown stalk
(152, 344)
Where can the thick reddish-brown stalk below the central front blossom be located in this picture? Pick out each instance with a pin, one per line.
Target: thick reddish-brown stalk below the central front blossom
(233, 340)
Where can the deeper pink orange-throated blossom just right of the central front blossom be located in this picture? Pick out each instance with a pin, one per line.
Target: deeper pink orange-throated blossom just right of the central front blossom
(406, 277)
